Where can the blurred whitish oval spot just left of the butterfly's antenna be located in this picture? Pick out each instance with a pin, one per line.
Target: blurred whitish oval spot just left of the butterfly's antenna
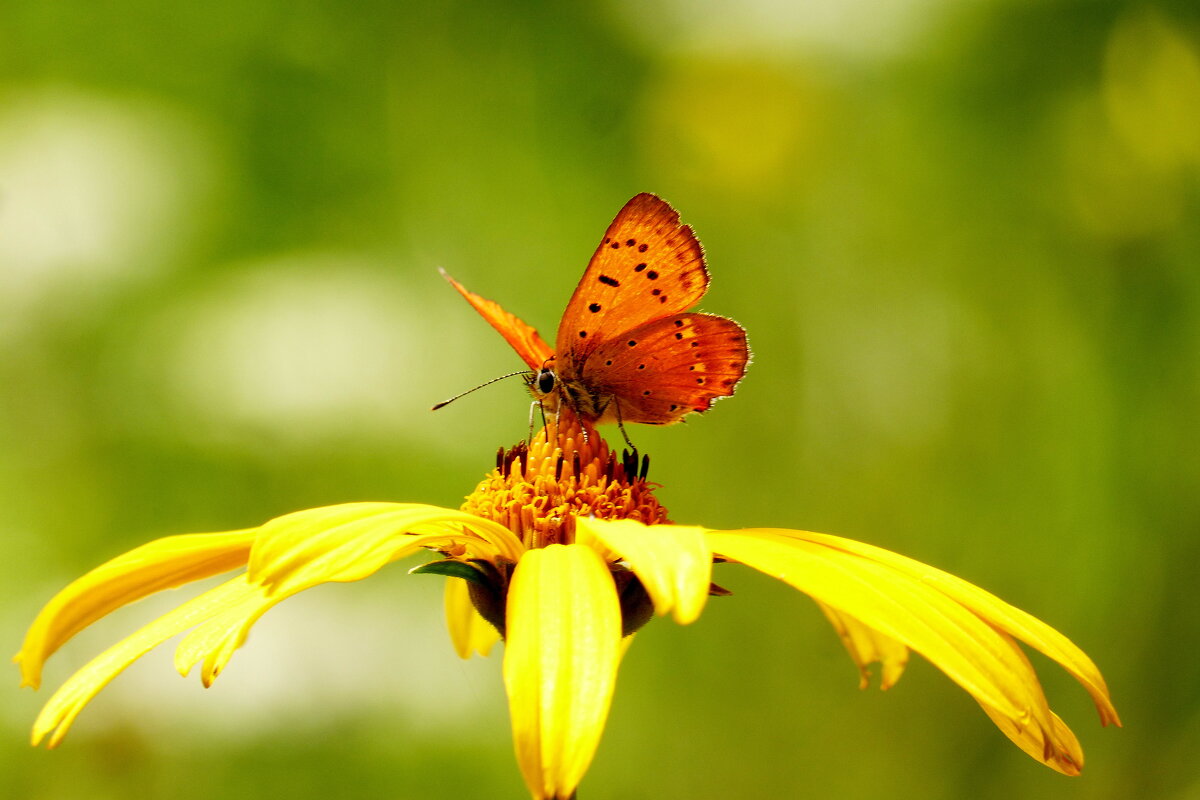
(298, 348)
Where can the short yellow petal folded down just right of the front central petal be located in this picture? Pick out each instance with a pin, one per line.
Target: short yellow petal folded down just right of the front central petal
(673, 562)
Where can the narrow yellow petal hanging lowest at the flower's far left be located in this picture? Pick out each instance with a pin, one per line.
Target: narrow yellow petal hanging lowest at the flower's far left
(67, 703)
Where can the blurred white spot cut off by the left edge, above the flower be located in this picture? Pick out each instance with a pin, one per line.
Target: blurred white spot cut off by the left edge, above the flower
(94, 193)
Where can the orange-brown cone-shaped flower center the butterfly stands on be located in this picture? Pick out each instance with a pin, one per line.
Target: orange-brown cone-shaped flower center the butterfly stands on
(568, 471)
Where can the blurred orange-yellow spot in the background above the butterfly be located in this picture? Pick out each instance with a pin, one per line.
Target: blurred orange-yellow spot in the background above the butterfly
(733, 127)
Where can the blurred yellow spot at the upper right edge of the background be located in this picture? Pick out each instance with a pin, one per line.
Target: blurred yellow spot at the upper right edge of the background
(1153, 91)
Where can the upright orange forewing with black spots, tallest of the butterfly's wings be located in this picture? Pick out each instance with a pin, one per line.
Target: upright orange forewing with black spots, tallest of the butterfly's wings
(647, 267)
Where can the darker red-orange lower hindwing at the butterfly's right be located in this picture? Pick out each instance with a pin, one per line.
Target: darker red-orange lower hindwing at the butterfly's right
(670, 368)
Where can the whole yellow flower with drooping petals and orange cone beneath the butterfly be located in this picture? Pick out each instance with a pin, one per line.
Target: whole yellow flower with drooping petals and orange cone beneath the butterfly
(565, 551)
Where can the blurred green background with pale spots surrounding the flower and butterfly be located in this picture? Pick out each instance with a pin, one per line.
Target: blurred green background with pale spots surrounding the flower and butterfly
(964, 238)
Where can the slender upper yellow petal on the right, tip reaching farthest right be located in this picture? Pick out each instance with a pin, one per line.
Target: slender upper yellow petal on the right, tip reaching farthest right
(1007, 618)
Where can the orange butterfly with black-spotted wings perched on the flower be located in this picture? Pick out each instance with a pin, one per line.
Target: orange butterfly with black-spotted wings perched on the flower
(626, 351)
